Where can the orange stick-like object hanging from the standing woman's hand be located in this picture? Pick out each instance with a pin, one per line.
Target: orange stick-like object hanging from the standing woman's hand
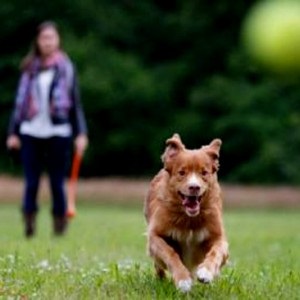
(72, 185)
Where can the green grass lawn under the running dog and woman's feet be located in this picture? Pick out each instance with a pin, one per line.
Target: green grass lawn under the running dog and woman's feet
(103, 257)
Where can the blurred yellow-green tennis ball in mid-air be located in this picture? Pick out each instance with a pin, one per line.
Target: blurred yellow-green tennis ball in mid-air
(271, 35)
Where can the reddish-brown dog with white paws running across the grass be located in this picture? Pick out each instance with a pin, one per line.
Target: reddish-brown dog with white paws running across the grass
(183, 210)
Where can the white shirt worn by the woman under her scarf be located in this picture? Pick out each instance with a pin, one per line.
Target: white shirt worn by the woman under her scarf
(41, 126)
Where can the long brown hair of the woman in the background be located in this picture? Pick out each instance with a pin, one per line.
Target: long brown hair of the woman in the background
(34, 50)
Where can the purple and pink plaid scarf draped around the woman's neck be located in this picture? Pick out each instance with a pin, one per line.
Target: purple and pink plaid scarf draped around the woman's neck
(27, 100)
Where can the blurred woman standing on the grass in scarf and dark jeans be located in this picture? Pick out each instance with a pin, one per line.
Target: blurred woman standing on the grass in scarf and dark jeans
(47, 116)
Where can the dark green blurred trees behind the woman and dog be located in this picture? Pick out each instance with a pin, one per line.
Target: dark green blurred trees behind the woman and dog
(151, 68)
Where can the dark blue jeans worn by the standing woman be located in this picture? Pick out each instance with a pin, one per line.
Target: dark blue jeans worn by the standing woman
(52, 153)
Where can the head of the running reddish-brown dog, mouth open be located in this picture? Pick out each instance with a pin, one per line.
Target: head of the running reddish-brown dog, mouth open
(191, 172)
